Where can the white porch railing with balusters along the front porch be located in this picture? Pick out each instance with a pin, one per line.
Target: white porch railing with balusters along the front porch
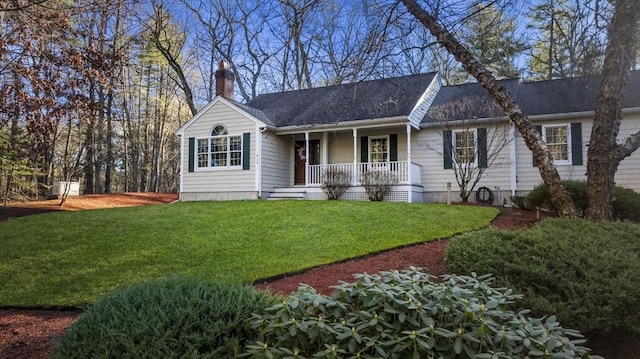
(399, 168)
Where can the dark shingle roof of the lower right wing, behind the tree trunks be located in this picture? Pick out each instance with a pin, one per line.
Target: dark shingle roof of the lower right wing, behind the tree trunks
(534, 98)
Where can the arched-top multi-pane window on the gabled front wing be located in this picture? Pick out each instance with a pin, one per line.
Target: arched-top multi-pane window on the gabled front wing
(220, 150)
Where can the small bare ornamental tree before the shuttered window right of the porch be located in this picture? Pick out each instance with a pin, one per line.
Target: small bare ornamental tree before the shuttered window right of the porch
(470, 145)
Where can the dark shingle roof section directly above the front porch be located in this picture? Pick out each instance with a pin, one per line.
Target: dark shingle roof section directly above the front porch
(341, 103)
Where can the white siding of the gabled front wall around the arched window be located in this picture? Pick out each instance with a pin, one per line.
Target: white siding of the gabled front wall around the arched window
(204, 181)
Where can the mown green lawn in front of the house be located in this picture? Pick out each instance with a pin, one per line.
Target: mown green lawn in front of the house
(71, 258)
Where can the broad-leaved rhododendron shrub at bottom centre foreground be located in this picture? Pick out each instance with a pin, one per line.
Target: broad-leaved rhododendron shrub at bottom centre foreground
(406, 315)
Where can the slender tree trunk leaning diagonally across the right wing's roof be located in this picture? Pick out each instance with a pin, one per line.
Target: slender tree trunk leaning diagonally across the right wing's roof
(559, 196)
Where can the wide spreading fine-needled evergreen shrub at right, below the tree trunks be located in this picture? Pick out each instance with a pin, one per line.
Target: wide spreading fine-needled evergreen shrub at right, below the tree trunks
(585, 273)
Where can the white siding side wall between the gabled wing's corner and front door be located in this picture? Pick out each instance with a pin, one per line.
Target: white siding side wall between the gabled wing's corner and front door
(276, 161)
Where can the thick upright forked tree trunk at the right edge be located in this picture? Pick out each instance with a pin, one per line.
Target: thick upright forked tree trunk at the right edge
(604, 152)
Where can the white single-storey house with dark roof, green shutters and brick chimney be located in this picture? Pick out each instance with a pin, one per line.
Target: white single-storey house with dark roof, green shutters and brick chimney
(279, 145)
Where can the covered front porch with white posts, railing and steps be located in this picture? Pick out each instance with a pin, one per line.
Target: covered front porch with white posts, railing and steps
(352, 152)
